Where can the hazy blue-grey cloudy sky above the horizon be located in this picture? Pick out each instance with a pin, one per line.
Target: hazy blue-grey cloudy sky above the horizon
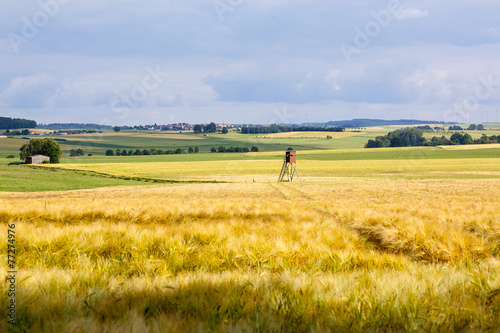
(124, 62)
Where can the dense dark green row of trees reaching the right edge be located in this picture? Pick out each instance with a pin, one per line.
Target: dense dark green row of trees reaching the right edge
(414, 137)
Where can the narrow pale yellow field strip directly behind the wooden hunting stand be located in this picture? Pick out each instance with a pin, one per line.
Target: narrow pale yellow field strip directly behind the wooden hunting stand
(266, 170)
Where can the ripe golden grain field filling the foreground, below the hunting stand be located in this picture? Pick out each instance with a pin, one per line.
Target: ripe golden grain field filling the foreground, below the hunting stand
(338, 254)
